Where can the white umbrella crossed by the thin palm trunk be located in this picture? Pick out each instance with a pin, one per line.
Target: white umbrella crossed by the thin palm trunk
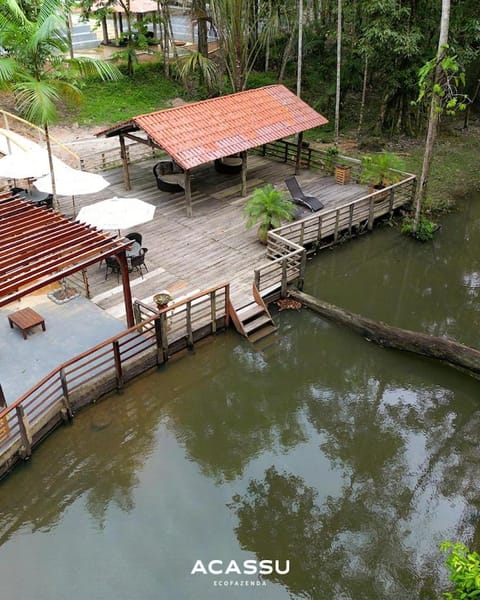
(72, 182)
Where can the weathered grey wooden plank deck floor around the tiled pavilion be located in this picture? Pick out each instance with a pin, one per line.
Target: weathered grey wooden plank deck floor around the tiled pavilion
(186, 255)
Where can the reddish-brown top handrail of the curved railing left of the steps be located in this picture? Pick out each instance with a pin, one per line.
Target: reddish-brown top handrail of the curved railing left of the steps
(108, 342)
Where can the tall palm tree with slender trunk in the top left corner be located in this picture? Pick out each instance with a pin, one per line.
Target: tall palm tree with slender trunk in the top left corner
(36, 67)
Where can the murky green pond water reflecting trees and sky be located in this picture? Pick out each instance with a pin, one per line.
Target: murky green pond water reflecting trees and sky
(347, 460)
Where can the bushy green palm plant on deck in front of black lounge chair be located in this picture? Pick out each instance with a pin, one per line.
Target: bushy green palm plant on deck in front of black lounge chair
(269, 208)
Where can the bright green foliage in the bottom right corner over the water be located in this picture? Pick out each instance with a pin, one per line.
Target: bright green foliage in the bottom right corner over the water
(464, 567)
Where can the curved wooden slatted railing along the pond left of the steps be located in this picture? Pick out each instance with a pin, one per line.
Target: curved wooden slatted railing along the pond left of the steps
(106, 367)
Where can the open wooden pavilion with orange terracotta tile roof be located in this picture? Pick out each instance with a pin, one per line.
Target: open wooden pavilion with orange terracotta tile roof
(200, 132)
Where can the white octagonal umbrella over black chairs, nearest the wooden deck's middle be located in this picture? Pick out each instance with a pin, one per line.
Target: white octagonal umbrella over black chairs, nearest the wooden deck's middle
(117, 213)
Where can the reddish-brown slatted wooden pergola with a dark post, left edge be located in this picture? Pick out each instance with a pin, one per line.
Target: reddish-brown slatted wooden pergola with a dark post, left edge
(39, 247)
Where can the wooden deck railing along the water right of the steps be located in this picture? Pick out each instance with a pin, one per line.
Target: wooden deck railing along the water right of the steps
(286, 244)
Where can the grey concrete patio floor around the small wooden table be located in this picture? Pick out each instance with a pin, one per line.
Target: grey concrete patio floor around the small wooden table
(71, 328)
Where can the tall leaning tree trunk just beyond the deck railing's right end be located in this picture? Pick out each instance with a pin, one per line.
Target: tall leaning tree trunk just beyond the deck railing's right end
(435, 111)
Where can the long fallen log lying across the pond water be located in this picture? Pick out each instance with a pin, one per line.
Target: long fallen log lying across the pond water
(454, 354)
